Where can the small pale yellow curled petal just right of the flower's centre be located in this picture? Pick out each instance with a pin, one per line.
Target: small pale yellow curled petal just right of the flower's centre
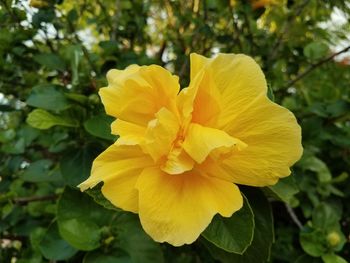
(200, 141)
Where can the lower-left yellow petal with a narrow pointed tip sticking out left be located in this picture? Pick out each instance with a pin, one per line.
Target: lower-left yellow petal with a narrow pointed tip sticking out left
(118, 167)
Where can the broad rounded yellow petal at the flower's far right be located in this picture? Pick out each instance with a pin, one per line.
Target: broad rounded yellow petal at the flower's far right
(273, 137)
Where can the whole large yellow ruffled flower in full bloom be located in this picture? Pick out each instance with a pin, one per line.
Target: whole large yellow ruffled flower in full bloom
(181, 154)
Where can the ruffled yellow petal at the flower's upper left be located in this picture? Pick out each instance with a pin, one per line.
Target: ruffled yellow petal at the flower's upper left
(137, 93)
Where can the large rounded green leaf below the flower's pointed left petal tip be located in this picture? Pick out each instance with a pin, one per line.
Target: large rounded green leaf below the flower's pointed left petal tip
(80, 219)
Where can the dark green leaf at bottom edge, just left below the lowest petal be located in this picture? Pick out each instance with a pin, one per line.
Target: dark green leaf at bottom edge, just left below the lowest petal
(133, 240)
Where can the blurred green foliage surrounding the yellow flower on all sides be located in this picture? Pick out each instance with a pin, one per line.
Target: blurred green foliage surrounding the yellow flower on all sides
(53, 59)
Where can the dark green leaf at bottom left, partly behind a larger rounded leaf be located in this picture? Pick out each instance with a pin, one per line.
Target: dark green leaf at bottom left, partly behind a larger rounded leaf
(53, 247)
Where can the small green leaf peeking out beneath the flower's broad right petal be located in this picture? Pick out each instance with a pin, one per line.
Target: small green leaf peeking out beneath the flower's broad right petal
(285, 189)
